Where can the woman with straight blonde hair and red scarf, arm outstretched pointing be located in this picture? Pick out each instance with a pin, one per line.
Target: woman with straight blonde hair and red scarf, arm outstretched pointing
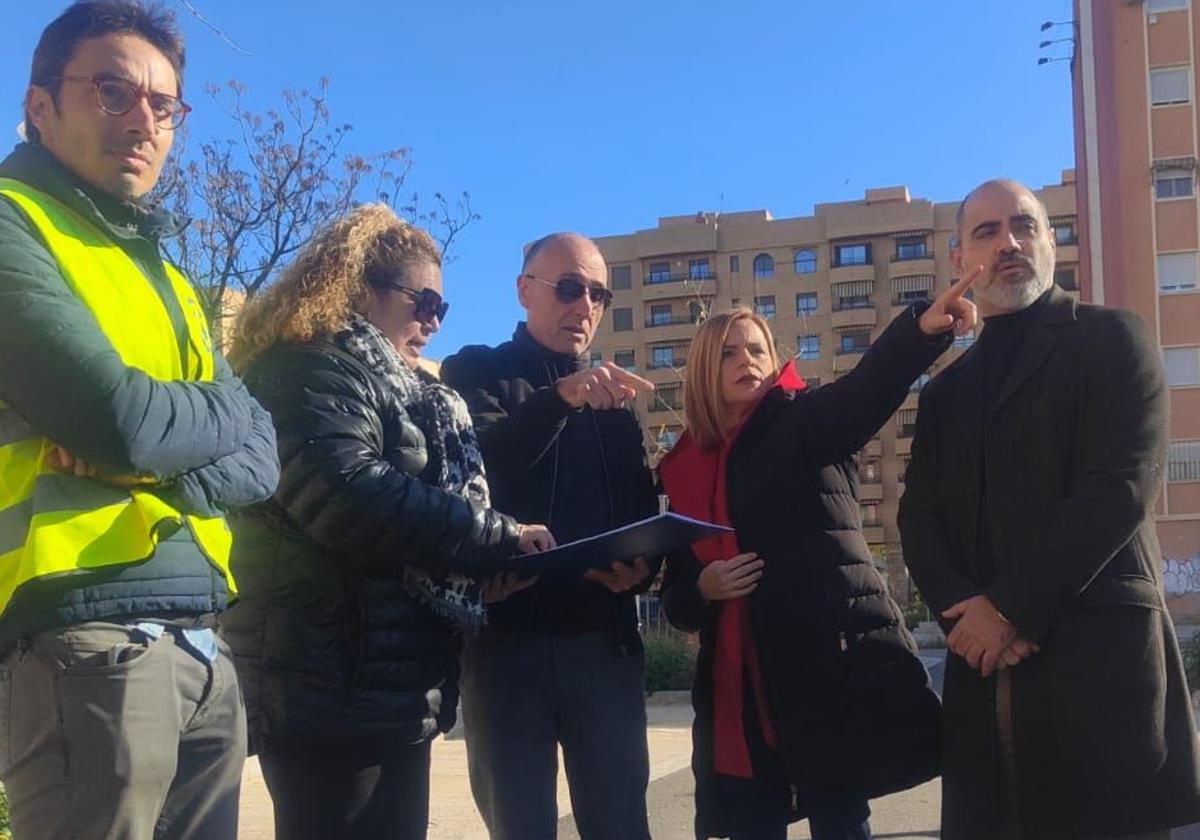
(809, 697)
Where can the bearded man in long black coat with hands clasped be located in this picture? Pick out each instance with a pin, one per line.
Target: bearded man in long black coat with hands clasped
(1028, 524)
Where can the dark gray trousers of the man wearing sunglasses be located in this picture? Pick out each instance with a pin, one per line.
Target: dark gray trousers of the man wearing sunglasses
(523, 697)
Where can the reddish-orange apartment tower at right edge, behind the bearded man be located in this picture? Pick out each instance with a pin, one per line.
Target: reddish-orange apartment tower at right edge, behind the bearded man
(1135, 79)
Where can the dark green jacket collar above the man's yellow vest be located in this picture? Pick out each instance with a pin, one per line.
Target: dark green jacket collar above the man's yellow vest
(33, 165)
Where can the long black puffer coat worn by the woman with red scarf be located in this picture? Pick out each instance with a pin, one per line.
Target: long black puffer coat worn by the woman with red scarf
(849, 699)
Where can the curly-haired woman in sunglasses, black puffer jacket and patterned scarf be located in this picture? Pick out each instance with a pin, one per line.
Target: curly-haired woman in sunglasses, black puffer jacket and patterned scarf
(359, 574)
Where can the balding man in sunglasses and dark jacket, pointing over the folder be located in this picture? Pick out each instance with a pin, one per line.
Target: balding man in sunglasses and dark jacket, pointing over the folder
(560, 665)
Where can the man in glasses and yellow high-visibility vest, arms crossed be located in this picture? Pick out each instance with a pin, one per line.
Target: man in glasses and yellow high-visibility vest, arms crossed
(124, 441)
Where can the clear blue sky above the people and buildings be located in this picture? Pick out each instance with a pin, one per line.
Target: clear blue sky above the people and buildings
(602, 117)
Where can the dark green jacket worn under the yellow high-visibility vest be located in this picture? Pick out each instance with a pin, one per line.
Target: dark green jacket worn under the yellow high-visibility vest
(211, 446)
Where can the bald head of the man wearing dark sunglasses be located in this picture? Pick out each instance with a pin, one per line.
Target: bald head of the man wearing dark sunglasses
(556, 323)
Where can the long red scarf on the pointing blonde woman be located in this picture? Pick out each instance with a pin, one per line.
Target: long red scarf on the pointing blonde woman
(694, 479)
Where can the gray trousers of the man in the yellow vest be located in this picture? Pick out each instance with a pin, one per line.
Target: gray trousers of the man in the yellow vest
(107, 734)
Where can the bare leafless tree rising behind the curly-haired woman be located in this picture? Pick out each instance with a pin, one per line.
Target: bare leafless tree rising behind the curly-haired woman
(259, 196)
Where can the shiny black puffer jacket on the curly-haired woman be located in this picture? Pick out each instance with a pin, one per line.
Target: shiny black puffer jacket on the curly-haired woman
(329, 645)
